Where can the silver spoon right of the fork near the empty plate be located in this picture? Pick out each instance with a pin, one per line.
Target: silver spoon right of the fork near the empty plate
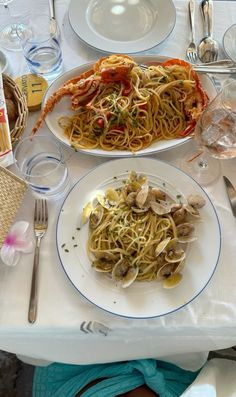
(208, 48)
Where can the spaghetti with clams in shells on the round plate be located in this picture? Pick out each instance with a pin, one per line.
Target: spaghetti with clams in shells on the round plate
(138, 233)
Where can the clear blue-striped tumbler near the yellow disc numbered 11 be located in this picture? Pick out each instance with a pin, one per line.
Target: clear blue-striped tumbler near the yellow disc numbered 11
(41, 46)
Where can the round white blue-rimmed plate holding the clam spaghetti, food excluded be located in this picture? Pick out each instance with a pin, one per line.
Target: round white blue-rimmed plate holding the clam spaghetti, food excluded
(141, 299)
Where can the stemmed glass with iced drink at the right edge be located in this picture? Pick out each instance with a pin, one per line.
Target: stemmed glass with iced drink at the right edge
(215, 135)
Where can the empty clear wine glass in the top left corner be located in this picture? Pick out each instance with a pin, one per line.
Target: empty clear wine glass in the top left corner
(9, 38)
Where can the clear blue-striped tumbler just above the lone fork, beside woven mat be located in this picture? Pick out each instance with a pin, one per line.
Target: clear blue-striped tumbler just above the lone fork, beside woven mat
(40, 161)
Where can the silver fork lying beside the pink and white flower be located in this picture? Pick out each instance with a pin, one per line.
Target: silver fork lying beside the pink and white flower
(40, 227)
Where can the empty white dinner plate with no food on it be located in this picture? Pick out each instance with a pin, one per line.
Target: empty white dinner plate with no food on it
(122, 26)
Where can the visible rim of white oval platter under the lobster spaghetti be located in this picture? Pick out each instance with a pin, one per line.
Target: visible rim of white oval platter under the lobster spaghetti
(63, 109)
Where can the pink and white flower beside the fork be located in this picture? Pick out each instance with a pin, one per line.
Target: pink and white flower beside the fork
(16, 241)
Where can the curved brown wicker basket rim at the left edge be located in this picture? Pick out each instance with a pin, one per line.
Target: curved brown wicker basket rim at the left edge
(22, 109)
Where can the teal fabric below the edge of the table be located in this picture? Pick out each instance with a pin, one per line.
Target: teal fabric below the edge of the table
(64, 380)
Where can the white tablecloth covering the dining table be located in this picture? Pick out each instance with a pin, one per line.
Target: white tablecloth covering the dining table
(69, 328)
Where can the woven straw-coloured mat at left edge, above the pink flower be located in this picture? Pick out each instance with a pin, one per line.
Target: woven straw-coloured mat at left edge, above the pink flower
(12, 191)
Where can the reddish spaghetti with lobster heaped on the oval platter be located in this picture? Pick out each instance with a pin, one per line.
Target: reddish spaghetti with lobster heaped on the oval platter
(121, 106)
